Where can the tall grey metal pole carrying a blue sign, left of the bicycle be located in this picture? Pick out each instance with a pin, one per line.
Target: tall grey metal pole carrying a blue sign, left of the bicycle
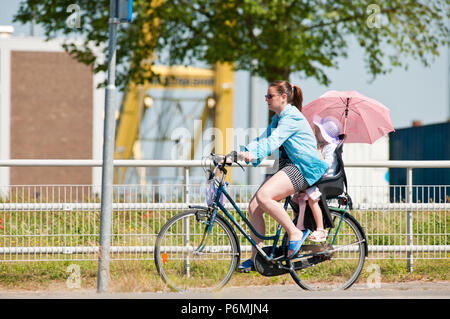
(108, 158)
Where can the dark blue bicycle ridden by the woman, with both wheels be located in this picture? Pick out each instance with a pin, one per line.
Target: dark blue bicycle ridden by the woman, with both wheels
(199, 249)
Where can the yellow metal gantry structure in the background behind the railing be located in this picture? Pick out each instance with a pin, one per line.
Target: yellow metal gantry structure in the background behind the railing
(220, 80)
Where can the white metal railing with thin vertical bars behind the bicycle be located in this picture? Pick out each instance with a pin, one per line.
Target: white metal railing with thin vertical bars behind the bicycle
(61, 222)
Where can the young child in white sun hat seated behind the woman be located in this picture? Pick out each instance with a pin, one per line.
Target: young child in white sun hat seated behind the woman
(327, 132)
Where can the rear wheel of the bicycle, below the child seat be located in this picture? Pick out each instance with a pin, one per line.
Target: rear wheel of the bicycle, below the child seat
(343, 266)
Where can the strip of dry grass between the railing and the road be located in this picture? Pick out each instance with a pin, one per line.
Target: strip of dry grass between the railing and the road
(141, 276)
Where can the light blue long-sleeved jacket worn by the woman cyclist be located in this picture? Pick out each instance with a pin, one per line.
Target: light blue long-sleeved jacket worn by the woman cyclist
(292, 130)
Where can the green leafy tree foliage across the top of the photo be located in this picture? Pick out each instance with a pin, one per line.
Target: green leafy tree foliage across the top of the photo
(271, 39)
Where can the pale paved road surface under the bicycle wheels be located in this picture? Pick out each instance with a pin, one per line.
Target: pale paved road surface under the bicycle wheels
(408, 290)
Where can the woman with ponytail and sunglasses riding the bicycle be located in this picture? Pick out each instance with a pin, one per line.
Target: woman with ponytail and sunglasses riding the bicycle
(300, 164)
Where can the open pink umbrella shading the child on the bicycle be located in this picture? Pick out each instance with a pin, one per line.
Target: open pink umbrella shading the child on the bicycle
(364, 119)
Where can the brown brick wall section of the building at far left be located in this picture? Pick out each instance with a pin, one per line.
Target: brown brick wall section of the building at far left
(51, 116)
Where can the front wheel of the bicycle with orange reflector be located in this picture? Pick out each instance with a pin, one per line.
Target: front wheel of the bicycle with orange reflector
(188, 257)
